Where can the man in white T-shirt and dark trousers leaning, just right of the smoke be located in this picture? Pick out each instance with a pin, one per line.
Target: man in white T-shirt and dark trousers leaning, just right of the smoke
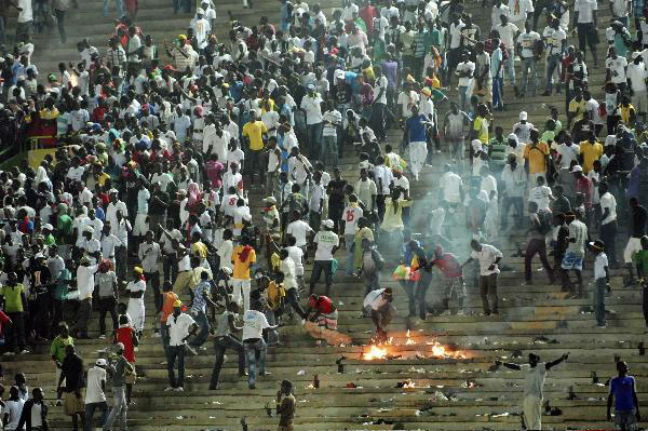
(488, 258)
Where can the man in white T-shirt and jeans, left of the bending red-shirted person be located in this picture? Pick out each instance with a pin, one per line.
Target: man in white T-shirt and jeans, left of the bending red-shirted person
(254, 323)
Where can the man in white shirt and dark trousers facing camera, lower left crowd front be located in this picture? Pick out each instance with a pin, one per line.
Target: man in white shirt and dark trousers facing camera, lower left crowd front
(181, 327)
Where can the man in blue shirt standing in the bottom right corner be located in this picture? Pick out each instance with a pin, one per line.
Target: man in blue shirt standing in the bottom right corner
(626, 407)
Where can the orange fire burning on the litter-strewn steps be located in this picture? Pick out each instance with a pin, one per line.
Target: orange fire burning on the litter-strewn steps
(408, 347)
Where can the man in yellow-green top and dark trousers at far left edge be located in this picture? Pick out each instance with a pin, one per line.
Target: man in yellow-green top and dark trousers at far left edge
(14, 303)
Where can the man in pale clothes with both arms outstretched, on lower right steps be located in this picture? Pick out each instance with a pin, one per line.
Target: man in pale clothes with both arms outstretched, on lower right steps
(534, 377)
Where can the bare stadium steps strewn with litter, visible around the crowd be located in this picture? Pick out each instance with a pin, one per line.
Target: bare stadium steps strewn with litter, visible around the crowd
(412, 389)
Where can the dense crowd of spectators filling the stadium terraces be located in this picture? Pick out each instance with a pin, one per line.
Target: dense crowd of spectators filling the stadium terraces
(156, 171)
